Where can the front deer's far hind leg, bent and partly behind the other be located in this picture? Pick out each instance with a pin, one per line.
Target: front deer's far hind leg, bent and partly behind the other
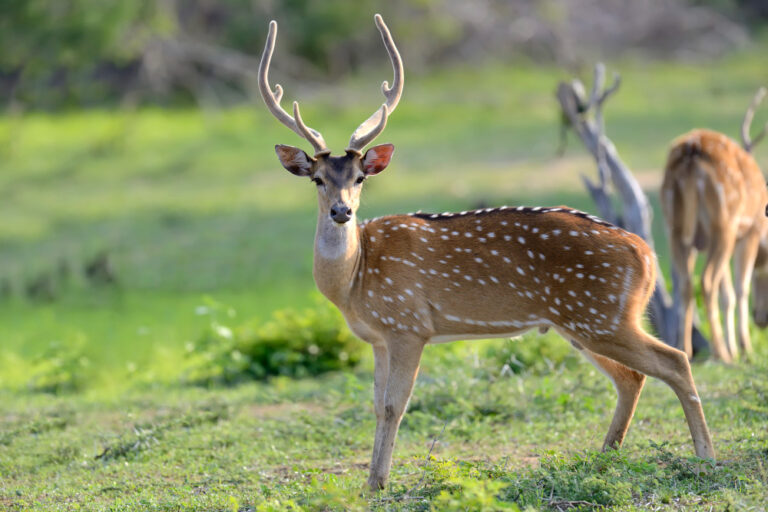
(628, 384)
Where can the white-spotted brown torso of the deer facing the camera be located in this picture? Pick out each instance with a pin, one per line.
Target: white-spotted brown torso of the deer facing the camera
(513, 275)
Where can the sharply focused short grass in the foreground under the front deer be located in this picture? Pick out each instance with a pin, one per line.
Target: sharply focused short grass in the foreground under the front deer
(528, 439)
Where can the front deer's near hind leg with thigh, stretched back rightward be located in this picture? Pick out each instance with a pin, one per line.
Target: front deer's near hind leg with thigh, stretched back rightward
(640, 351)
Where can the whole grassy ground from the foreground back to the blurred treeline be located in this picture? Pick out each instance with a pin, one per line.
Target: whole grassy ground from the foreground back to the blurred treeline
(193, 210)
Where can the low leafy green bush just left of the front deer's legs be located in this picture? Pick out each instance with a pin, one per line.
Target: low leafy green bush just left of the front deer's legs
(293, 343)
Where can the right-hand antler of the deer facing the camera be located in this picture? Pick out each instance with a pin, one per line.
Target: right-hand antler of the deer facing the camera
(372, 127)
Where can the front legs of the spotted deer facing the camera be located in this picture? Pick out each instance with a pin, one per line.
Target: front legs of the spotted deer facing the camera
(403, 360)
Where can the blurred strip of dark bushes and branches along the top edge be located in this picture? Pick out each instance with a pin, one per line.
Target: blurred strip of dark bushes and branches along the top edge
(84, 53)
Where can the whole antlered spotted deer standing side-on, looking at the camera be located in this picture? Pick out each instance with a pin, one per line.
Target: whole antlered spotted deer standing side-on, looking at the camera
(404, 281)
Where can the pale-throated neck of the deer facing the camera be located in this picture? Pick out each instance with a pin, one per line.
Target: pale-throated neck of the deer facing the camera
(337, 258)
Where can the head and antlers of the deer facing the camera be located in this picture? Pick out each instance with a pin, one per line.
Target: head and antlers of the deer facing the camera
(339, 179)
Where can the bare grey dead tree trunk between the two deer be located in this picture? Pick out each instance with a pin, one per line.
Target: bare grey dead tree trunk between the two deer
(636, 215)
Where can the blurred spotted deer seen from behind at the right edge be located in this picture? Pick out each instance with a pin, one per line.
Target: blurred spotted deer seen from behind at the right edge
(714, 196)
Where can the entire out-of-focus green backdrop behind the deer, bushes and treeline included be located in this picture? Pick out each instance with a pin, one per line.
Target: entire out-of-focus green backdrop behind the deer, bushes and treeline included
(148, 233)
